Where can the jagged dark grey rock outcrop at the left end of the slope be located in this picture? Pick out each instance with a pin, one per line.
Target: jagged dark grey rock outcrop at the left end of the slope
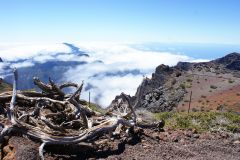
(157, 94)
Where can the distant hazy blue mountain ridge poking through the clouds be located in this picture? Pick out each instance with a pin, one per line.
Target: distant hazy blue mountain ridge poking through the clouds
(53, 68)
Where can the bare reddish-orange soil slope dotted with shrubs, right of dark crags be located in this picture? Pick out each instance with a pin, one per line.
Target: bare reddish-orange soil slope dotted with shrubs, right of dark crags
(204, 98)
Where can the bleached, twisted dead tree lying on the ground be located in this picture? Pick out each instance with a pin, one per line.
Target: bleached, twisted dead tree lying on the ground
(55, 118)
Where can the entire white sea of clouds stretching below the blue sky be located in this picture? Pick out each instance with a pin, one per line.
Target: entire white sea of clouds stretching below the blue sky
(111, 68)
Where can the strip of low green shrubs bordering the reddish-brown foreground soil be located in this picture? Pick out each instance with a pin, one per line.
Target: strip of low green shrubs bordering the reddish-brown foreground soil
(201, 121)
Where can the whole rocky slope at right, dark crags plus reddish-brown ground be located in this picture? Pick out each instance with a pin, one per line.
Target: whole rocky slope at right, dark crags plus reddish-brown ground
(169, 88)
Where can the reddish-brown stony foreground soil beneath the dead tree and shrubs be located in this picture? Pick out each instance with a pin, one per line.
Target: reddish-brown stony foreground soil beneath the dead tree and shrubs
(147, 144)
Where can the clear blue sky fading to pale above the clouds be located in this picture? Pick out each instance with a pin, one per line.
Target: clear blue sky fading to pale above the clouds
(195, 21)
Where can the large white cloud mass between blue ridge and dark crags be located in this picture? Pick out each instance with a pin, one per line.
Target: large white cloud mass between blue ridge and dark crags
(122, 60)
